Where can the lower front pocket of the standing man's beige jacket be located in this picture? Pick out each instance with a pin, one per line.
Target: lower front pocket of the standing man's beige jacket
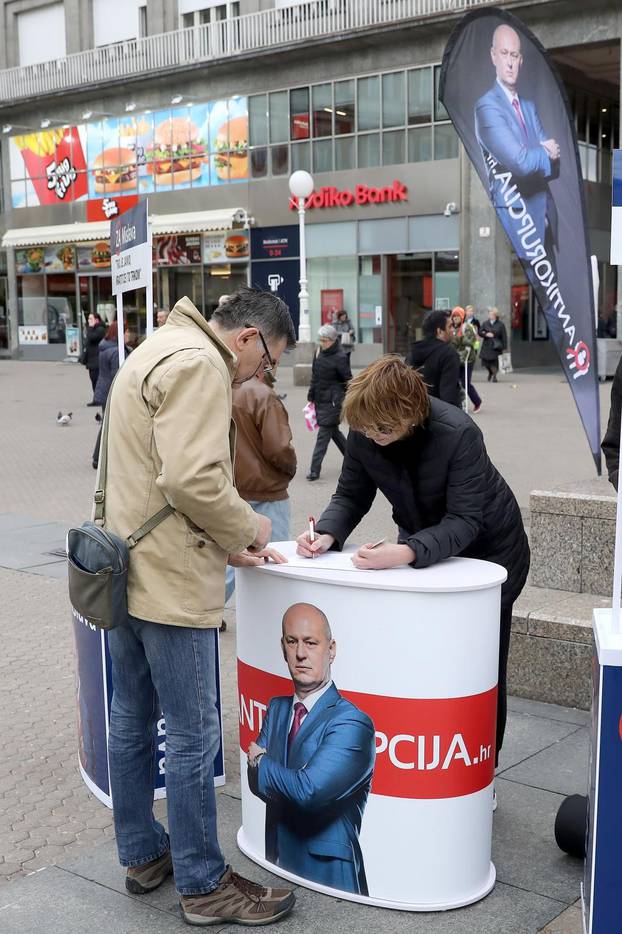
(204, 573)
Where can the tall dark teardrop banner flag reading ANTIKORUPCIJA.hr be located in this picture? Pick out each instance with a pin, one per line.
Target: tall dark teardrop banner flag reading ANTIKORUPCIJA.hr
(510, 110)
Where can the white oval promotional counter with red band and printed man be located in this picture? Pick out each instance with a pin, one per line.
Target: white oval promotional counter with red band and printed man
(417, 653)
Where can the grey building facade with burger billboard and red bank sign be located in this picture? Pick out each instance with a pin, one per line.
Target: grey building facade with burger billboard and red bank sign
(207, 107)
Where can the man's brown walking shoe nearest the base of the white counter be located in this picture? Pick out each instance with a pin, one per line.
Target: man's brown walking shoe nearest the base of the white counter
(239, 901)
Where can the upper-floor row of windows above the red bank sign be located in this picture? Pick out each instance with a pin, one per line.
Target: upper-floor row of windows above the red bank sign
(403, 104)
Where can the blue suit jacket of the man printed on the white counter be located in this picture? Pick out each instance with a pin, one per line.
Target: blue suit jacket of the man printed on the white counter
(315, 801)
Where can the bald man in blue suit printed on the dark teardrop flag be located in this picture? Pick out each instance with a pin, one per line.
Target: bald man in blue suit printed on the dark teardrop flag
(513, 139)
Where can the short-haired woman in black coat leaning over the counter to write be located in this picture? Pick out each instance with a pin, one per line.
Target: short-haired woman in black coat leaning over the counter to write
(430, 461)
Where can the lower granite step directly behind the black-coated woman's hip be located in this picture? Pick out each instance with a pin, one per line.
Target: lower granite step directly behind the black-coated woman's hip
(552, 646)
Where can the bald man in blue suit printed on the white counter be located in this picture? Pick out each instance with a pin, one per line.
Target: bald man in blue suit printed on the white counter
(312, 763)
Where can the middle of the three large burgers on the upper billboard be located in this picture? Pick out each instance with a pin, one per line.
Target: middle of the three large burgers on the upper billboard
(177, 154)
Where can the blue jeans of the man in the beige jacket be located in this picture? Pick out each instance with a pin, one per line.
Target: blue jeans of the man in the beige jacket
(172, 668)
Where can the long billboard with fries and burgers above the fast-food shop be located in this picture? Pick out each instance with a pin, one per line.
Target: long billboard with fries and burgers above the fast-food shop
(181, 147)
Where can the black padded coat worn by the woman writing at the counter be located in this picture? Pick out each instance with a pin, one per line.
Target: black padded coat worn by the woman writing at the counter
(448, 499)
